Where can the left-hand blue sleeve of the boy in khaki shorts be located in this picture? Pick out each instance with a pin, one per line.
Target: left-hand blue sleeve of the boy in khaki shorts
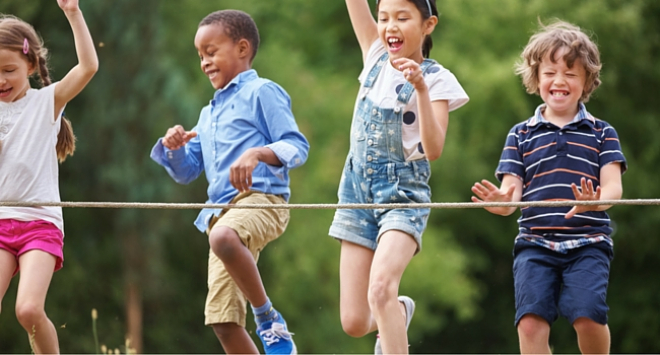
(185, 164)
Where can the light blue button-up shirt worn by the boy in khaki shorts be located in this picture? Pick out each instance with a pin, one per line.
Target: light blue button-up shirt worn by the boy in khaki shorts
(249, 112)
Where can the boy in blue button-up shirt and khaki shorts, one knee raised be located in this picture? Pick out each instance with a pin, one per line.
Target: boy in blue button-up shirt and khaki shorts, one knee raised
(246, 140)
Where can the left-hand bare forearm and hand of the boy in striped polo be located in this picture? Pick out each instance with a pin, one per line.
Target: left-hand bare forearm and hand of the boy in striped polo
(510, 191)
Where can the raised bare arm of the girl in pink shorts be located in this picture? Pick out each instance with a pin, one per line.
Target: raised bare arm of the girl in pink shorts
(78, 77)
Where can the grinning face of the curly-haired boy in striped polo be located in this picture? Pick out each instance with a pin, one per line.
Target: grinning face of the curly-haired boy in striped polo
(561, 87)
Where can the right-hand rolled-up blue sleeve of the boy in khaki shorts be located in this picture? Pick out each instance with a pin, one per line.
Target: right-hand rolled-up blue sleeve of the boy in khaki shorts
(288, 144)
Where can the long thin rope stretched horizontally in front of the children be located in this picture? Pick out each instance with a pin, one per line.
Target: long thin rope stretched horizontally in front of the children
(446, 205)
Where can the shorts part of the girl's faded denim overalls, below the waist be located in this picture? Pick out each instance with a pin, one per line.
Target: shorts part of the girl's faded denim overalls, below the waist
(402, 182)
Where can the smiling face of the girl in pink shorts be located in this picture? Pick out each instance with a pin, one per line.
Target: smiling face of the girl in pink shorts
(14, 75)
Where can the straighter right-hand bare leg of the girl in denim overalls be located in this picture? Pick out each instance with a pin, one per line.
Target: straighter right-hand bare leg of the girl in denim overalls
(392, 256)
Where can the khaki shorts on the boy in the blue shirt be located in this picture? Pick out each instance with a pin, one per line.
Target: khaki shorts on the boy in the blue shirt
(225, 303)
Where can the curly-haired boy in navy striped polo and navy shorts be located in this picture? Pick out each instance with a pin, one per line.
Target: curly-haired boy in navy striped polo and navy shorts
(561, 255)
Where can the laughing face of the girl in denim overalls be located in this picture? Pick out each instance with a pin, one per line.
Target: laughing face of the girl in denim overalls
(402, 29)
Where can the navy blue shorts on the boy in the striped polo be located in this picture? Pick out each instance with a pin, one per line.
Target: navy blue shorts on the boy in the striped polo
(573, 285)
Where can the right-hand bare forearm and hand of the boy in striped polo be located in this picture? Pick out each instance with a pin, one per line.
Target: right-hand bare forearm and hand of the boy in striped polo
(610, 189)
